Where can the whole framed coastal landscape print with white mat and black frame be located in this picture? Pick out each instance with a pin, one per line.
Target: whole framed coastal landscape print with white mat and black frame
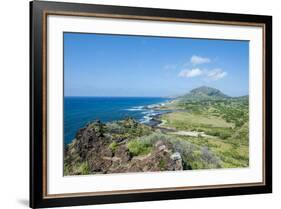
(140, 104)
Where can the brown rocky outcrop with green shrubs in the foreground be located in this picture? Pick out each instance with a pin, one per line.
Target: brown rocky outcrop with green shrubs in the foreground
(112, 148)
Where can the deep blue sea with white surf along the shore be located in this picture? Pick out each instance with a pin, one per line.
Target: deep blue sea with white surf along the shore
(78, 111)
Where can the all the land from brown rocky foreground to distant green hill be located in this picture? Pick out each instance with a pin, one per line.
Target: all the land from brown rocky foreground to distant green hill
(203, 129)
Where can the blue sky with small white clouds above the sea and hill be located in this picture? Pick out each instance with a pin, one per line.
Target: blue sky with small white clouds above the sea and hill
(120, 65)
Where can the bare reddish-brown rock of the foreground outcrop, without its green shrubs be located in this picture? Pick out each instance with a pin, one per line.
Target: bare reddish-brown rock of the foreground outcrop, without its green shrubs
(90, 153)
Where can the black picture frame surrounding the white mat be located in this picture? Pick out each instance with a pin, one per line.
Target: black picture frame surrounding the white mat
(38, 11)
